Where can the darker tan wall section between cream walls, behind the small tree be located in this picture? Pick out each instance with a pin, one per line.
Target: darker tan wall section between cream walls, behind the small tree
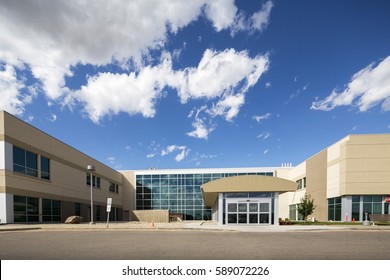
(316, 181)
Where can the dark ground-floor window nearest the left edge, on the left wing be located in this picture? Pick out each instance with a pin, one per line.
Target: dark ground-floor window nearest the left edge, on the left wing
(26, 209)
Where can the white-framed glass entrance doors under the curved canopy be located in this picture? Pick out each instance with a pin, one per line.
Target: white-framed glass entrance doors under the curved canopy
(248, 212)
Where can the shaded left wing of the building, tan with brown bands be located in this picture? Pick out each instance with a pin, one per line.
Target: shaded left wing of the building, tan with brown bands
(44, 180)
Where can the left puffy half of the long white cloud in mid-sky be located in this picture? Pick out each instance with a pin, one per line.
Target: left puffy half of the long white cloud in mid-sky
(108, 93)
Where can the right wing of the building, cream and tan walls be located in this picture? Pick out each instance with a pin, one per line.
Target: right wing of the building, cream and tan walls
(346, 180)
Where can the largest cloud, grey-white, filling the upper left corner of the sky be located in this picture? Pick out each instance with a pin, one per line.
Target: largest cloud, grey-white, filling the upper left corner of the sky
(56, 35)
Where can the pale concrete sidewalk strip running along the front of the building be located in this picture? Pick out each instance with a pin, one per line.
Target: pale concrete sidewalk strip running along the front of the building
(210, 226)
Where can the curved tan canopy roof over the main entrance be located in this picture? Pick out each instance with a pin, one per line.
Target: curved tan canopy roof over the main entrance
(245, 183)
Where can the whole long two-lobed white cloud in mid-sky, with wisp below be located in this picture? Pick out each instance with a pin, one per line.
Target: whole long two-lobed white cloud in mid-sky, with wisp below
(223, 77)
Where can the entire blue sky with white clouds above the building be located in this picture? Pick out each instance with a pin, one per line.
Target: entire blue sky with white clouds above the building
(197, 84)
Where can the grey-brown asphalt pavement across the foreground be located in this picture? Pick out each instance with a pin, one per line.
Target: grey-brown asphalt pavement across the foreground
(165, 244)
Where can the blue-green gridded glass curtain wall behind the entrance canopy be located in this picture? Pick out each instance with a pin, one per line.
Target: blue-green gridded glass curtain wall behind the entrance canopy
(180, 193)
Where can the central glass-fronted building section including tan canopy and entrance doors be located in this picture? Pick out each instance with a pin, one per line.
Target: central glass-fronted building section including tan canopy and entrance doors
(228, 196)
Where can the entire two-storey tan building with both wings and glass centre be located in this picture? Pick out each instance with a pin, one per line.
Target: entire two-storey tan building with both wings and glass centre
(45, 180)
